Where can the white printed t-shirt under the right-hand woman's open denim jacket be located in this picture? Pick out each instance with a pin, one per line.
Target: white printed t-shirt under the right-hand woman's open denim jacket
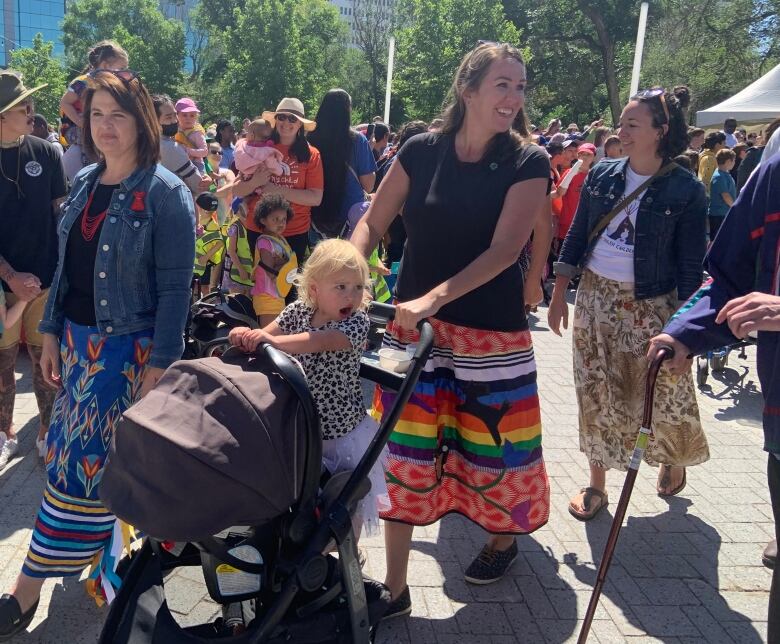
(613, 254)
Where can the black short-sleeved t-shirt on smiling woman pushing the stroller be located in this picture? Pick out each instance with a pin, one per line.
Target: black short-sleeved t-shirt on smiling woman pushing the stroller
(450, 216)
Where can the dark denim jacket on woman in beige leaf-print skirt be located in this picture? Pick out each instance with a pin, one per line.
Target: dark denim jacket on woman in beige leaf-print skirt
(671, 229)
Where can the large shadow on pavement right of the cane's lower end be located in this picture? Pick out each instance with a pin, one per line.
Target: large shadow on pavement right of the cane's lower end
(665, 583)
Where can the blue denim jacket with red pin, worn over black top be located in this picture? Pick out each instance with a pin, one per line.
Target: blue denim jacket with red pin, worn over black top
(143, 267)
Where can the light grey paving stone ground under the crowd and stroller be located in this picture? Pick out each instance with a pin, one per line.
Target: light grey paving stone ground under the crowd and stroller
(687, 569)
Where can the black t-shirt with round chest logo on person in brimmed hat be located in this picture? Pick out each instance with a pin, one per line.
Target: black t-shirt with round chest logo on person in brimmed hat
(28, 224)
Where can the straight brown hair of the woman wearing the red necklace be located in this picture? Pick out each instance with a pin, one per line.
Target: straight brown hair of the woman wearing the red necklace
(133, 98)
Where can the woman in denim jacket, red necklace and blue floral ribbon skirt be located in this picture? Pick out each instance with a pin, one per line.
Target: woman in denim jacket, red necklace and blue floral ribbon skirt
(114, 321)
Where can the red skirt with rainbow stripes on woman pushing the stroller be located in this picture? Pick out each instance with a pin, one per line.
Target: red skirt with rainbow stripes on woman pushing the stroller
(469, 440)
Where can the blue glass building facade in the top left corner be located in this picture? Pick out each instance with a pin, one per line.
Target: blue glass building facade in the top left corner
(20, 20)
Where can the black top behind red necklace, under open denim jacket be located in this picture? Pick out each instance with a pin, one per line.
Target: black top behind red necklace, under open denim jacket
(79, 302)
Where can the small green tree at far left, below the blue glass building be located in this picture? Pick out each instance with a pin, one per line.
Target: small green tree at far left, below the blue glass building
(38, 66)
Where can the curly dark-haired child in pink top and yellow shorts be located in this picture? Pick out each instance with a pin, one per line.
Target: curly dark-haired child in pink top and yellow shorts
(276, 264)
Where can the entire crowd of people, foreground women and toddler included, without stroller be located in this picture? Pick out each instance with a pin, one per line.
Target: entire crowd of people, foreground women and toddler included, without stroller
(134, 203)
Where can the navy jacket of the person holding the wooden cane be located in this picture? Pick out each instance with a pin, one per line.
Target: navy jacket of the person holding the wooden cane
(745, 257)
